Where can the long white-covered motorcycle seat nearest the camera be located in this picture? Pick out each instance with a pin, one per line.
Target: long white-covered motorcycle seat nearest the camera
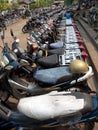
(55, 105)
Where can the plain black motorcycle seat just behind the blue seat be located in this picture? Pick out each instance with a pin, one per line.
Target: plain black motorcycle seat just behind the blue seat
(49, 61)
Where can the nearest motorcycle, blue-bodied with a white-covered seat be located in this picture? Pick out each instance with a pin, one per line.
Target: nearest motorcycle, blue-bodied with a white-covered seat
(72, 110)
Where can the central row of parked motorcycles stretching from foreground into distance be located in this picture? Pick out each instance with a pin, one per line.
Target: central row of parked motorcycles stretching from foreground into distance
(48, 79)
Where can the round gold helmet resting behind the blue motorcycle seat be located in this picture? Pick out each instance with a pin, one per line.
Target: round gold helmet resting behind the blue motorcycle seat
(78, 67)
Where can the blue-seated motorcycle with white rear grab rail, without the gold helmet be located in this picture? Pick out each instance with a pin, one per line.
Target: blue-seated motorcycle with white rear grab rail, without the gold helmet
(60, 78)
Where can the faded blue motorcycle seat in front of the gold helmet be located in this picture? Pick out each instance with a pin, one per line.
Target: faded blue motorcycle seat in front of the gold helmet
(53, 76)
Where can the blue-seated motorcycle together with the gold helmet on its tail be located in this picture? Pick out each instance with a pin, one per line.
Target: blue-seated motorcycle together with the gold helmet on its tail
(44, 80)
